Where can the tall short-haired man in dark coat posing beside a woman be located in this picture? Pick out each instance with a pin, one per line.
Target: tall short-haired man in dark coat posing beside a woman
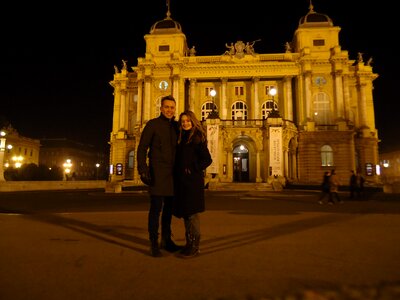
(158, 143)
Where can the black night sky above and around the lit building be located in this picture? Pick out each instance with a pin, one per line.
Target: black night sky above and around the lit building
(56, 62)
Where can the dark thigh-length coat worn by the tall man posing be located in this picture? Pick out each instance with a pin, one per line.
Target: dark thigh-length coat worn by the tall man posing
(158, 143)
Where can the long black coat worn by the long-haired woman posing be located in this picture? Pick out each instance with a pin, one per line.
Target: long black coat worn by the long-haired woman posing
(191, 161)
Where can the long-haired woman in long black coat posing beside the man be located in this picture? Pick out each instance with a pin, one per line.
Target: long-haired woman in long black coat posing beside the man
(192, 158)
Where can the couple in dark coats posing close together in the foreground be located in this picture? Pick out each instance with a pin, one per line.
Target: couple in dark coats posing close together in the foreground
(172, 157)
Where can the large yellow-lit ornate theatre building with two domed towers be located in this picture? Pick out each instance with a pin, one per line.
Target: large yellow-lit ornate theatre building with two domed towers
(321, 117)
